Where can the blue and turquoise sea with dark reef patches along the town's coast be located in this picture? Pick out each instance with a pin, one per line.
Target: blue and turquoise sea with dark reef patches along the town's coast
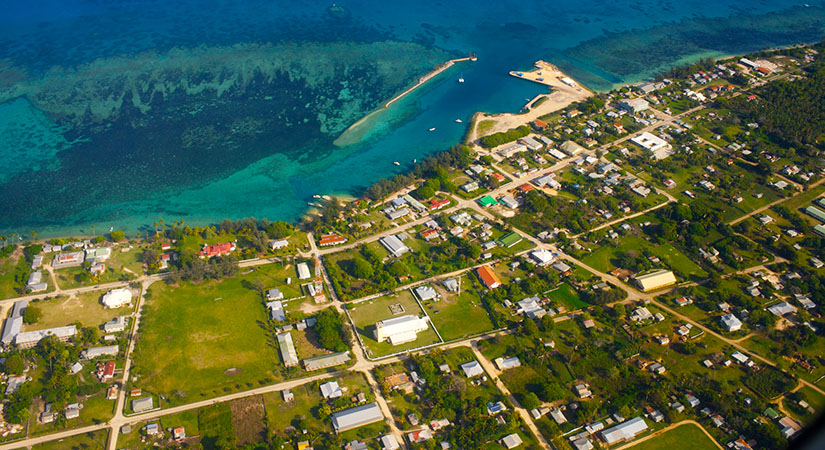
(118, 113)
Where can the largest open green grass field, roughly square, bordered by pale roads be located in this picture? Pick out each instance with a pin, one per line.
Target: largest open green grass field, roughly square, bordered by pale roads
(204, 340)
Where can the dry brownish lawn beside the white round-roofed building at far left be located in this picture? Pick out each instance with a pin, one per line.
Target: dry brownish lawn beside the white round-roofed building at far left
(84, 308)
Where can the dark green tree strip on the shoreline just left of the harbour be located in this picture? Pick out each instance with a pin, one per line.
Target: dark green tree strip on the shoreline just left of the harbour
(457, 157)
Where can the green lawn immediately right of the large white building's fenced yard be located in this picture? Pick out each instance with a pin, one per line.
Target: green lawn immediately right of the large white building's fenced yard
(457, 316)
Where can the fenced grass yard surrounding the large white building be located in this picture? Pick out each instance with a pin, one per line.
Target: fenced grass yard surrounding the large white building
(365, 314)
